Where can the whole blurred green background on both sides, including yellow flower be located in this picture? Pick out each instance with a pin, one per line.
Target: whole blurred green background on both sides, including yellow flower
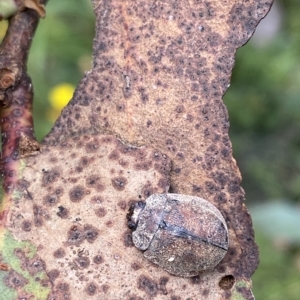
(264, 109)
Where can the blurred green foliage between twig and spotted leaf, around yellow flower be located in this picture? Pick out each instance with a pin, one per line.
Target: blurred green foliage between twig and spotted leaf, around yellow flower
(61, 52)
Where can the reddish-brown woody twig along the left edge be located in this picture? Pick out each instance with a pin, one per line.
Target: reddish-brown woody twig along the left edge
(16, 99)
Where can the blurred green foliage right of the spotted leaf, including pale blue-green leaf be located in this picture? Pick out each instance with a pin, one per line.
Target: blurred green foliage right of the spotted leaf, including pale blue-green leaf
(264, 110)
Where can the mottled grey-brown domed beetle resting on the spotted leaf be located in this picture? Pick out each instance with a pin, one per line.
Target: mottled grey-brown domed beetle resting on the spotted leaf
(182, 234)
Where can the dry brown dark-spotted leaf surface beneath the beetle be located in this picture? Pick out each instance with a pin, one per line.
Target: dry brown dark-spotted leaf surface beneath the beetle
(160, 69)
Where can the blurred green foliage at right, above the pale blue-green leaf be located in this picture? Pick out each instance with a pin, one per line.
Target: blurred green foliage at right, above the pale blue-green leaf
(264, 110)
